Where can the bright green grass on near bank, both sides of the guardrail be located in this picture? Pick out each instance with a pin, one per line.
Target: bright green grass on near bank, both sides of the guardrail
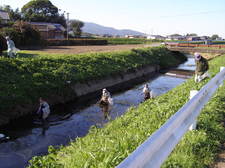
(108, 146)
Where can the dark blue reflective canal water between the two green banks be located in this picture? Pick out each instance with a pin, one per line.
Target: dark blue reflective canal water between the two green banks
(27, 139)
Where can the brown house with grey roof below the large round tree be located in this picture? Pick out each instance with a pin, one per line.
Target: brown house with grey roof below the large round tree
(49, 30)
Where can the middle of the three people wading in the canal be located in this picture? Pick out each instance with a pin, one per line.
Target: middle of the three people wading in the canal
(106, 103)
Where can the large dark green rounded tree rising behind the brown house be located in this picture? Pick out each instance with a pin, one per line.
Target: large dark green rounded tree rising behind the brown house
(42, 11)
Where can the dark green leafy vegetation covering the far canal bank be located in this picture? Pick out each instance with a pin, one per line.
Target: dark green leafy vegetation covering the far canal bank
(29, 76)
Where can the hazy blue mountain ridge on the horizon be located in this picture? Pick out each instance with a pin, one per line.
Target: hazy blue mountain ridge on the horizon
(101, 30)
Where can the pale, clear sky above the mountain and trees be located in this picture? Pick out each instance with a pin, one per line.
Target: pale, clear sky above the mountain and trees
(164, 17)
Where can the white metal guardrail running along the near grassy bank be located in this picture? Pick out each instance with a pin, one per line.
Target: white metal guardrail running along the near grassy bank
(155, 150)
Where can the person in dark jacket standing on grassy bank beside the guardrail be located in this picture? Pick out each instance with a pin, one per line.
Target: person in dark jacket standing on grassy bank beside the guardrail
(202, 66)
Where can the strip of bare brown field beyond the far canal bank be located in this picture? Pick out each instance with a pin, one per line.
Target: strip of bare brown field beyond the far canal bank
(88, 49)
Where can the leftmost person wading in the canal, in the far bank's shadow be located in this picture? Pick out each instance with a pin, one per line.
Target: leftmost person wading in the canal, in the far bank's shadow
(43, 112)
